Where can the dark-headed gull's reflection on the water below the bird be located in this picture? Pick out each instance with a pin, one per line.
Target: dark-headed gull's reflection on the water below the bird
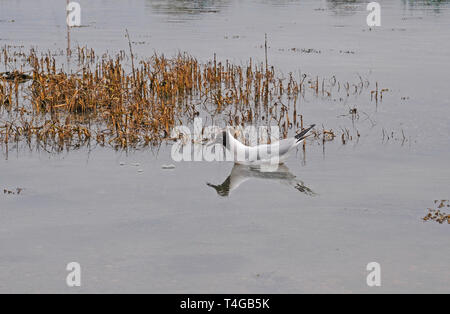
(241, 173)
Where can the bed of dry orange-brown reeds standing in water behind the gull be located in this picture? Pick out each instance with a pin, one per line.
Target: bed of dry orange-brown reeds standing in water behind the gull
(109, 102)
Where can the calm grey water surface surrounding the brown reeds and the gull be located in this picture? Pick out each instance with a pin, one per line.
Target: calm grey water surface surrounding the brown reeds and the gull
(139, 228)
